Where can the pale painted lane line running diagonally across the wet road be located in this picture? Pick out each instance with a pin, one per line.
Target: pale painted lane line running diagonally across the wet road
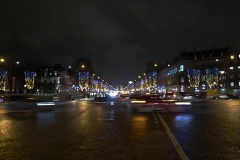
(177, 146)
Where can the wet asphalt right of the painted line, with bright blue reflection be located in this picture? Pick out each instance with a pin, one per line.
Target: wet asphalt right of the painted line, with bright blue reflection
(210, 131)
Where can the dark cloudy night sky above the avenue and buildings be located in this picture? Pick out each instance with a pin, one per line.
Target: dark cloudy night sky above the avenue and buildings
(120, 37)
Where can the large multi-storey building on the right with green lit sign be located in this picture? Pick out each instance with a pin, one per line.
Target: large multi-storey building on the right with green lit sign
(202, 70)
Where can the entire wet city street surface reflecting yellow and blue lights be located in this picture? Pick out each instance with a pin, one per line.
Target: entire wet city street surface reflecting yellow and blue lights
(86, 130)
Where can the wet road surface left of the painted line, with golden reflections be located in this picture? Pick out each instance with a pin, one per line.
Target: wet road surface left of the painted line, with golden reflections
(83, 131)
